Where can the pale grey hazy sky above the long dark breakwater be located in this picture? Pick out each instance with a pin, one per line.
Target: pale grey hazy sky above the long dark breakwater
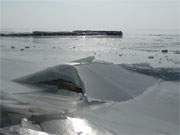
(28, 15)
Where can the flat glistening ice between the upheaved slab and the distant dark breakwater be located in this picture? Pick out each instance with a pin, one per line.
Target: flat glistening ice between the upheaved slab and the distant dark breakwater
(132, 48)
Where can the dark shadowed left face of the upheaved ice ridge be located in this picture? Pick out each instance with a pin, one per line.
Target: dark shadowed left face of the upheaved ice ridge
(62, 76)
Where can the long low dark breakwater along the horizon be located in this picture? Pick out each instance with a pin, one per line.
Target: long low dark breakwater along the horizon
(65, 33)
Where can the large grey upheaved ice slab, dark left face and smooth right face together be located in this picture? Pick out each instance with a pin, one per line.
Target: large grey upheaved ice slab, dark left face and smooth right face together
(103, 81)
